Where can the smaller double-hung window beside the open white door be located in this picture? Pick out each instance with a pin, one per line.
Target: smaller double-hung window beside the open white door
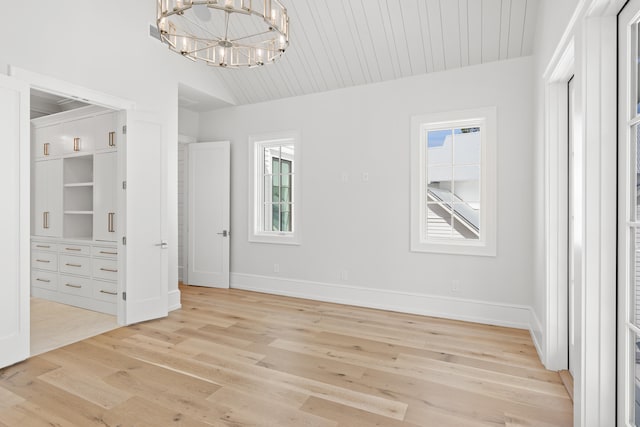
(275, 196)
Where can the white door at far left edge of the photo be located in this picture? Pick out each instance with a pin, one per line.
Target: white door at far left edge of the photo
(14, 221)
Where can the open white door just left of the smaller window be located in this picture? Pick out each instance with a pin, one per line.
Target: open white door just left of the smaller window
(208, 194)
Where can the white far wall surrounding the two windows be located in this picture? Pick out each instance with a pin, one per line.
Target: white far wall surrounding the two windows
(362, 227)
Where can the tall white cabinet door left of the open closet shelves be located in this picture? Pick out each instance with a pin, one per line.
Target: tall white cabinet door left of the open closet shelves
(48, 198)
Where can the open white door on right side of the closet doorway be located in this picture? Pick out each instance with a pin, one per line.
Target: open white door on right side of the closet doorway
(145, 273)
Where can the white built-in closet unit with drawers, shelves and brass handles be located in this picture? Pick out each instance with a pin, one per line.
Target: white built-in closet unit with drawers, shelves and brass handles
(74, 208)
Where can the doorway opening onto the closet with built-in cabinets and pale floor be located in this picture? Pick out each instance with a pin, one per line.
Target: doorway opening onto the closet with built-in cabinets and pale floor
(75, 194)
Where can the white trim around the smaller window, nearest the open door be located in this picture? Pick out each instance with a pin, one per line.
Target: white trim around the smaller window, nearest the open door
(257, 142)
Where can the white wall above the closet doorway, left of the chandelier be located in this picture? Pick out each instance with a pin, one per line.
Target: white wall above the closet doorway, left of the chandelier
(105, 46)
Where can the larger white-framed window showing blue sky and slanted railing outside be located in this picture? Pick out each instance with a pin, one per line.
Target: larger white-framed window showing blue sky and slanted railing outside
(453, 170)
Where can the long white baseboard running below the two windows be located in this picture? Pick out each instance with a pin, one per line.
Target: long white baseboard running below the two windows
(491, 313)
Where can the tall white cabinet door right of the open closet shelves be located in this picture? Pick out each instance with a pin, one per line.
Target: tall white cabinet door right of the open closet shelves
(104, 196)
